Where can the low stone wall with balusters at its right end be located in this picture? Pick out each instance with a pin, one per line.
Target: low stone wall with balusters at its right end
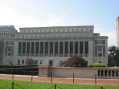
(87, 72)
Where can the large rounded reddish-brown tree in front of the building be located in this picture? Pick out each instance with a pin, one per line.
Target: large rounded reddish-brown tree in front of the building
(75, 61)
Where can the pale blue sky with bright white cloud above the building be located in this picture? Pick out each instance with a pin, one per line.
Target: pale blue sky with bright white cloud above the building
(30, 13)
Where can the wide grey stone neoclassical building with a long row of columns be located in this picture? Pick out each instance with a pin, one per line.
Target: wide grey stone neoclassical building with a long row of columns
(51, 45)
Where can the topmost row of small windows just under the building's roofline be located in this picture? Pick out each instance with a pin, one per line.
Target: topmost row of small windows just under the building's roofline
(42, 30)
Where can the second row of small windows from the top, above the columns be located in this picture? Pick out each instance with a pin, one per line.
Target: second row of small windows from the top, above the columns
(53, 35)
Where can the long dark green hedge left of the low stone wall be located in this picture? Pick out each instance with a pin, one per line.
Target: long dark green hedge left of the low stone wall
(22, 70)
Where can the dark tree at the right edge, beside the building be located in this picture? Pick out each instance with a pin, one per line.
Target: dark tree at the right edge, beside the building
(113, 56)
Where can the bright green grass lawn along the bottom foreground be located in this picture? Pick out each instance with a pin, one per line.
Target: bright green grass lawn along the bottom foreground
(7, 84)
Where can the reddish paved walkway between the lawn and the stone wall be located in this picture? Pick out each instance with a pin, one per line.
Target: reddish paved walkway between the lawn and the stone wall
(61, 80)
